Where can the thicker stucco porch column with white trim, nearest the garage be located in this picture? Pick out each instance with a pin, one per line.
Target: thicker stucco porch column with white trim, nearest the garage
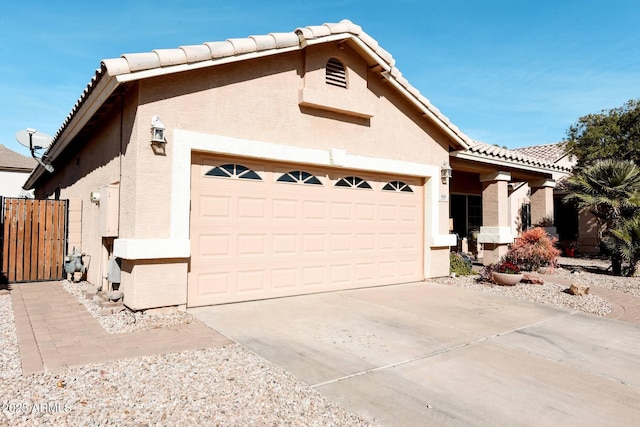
(495, 233)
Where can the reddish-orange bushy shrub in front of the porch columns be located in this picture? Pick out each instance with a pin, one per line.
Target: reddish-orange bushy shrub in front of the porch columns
(533, 249)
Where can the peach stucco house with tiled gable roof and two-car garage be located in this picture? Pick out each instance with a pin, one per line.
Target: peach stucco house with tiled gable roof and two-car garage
(291, 163)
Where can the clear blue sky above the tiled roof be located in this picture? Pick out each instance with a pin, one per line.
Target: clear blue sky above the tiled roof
(508, 72)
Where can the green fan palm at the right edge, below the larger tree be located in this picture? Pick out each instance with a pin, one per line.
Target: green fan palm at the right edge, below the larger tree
(610, 190)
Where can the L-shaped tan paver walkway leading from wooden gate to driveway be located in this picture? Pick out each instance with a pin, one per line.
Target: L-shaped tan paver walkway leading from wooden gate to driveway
(55, 331)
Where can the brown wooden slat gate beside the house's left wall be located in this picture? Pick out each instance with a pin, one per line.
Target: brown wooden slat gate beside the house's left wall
(33, 239)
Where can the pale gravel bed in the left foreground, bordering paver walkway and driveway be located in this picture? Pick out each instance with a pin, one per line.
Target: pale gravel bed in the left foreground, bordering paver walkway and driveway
(226, 386)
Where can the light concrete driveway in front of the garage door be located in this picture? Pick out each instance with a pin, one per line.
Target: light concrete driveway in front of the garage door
(426, 354)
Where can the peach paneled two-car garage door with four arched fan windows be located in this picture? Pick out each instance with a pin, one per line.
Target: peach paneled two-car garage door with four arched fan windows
(264, 230)
